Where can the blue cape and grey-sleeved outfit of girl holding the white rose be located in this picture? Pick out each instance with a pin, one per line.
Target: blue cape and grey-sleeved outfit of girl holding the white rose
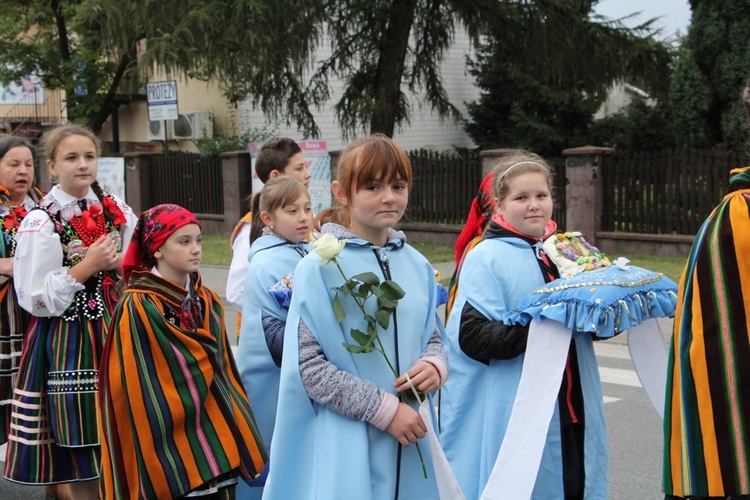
(330, 439)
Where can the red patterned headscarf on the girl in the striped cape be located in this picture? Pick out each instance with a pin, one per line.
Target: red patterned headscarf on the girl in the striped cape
(153, 228)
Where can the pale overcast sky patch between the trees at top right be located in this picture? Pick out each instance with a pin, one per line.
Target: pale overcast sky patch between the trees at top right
(675, 14)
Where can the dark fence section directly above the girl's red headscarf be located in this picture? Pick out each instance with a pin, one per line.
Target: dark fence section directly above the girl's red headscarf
(189, 180)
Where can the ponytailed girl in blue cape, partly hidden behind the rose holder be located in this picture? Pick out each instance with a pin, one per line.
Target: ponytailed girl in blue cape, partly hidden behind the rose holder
(278, 231)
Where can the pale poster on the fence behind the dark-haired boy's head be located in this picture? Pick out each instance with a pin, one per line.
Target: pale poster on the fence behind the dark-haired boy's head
(317, 161)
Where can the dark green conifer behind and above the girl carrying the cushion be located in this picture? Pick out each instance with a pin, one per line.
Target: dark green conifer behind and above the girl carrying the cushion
(543, 77)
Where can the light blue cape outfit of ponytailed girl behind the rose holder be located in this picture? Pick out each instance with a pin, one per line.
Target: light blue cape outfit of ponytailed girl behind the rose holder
(260, 347)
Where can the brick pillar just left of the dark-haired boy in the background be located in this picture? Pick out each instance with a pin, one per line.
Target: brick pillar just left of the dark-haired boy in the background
(235, 167)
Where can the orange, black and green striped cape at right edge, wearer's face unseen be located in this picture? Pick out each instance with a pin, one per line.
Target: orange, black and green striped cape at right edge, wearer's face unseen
(707, 414)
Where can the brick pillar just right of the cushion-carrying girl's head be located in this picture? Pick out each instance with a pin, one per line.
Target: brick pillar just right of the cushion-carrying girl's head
(583, 193)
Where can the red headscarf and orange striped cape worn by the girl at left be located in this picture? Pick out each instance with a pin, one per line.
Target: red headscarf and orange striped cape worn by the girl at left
(175, 419)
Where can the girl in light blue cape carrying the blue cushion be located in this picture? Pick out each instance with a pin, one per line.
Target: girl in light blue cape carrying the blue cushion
(487, 355)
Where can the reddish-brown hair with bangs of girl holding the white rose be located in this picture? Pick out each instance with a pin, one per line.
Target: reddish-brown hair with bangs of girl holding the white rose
(373, 158)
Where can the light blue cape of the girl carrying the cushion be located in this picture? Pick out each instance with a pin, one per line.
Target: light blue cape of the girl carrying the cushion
(476, 401)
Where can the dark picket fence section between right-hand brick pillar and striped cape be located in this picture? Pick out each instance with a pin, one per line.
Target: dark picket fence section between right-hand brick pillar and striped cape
(666, 192)
